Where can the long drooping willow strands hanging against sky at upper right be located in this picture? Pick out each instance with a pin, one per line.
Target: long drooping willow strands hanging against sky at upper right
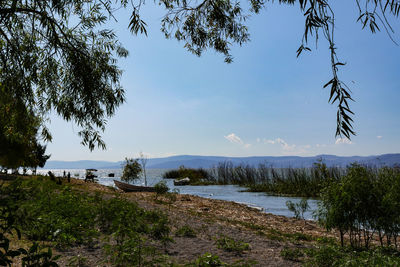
(319, 17)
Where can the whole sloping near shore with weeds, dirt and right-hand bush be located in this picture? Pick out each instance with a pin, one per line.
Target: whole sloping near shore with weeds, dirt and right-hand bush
(87, 224)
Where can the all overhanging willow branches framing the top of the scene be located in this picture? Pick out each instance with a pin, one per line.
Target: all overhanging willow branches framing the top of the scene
(56, 56)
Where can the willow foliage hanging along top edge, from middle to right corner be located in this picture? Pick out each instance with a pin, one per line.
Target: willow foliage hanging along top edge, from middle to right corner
(218, 24)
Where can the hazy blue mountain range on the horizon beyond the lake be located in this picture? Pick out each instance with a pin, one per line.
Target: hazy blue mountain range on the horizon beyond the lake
(210, 161)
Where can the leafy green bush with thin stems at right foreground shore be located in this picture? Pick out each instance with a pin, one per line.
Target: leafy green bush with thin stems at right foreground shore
(362, 202)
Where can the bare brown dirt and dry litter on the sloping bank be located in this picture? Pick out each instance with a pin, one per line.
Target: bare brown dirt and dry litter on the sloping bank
(266, 234)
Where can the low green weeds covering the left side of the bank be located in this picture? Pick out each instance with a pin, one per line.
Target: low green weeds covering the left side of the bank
(45, 211)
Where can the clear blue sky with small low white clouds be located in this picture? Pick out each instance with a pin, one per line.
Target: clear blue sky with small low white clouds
(266, 103)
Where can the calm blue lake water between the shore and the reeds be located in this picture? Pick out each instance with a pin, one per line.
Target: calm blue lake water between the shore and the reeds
(271, 204)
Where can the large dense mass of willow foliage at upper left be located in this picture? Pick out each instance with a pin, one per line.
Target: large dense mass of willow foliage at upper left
(56, 57)
